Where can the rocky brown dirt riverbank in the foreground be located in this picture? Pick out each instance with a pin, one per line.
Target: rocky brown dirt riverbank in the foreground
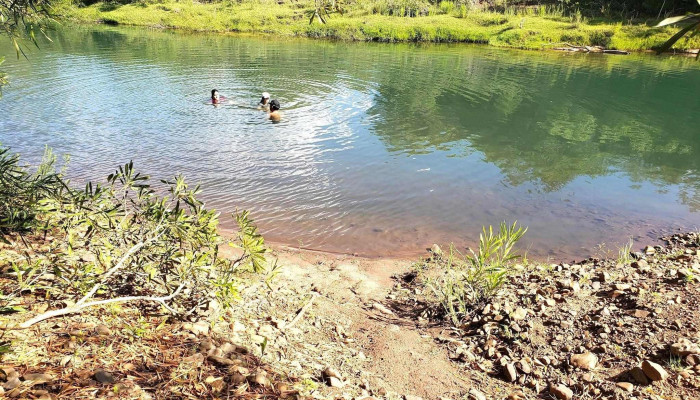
(334, 326)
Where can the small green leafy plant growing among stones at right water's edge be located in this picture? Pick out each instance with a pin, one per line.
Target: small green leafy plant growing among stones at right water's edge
(468, 279)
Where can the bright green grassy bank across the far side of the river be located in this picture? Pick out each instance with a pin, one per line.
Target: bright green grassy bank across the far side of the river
(534, 28)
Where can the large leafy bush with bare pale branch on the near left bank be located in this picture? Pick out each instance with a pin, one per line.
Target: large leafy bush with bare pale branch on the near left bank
(123, 241)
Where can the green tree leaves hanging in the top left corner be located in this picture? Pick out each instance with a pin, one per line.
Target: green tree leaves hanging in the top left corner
(23, 20)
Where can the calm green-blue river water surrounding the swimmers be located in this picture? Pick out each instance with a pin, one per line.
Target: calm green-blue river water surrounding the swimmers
(383, 149)
